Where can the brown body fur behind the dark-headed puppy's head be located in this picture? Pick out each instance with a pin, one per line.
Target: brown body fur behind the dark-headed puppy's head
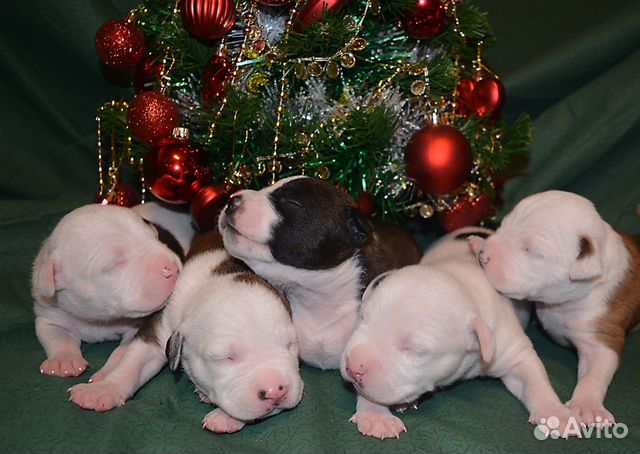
(390, 247)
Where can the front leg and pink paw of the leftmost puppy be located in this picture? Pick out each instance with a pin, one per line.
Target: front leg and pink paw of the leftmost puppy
(64, 358)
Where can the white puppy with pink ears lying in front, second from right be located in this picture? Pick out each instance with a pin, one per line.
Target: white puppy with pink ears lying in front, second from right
(425, 326)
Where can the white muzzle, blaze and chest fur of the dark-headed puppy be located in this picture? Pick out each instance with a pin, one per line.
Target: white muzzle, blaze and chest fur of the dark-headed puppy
(324, 303)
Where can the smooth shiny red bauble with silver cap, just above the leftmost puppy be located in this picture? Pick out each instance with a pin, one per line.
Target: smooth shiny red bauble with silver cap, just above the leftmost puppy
(176, 169)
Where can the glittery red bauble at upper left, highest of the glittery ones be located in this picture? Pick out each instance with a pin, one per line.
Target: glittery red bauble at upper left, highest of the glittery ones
(120, 44)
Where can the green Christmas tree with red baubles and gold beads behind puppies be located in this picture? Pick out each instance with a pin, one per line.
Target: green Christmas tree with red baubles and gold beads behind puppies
(390, 100)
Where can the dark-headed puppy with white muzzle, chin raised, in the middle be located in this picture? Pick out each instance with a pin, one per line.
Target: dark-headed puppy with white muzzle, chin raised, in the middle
(308, 239)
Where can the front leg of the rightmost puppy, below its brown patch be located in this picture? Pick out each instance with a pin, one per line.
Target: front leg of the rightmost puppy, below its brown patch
(596, 366)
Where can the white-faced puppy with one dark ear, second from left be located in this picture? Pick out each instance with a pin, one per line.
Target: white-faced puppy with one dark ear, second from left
(231, 331)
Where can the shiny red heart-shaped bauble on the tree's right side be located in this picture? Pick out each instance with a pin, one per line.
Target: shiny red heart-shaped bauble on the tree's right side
(481, 97)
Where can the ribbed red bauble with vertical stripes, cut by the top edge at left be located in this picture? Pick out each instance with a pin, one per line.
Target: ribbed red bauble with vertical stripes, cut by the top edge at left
(208, 19)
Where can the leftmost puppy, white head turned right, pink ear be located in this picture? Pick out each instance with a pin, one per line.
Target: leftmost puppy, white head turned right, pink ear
(100, 271)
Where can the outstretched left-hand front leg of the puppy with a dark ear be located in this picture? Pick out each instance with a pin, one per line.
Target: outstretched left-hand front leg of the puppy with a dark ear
(141, 361)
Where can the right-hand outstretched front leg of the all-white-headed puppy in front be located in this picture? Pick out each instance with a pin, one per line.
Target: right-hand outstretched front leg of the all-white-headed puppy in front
(528, 381)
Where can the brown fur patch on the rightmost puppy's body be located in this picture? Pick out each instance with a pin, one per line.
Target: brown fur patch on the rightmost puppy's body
(623, 313)
